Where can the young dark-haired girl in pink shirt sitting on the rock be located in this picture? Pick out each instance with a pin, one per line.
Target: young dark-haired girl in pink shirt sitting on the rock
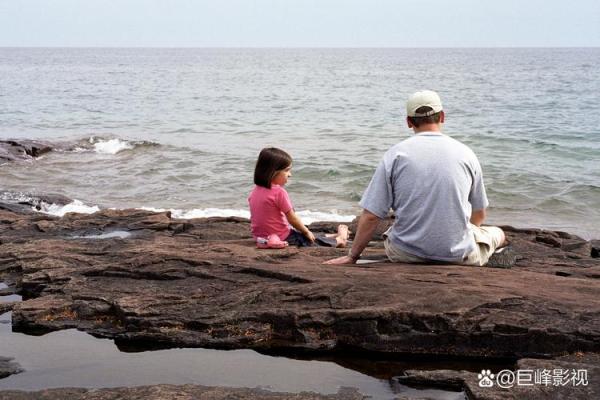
(271, 210)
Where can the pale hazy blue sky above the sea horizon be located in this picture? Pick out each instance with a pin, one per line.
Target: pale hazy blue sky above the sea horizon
(300, 23)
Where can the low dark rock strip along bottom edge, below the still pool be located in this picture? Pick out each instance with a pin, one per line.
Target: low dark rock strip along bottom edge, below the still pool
(161, 392)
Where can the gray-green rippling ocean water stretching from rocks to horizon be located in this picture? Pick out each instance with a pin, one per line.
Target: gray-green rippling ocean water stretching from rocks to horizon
(180, 129)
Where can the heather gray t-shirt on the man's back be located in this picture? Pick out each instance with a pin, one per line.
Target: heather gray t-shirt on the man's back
(432, 182)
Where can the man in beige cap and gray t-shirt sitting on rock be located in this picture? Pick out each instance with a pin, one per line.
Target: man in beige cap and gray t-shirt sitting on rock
(434, 185)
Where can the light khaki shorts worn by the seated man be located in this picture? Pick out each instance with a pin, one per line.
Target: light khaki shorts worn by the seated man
(487, 238)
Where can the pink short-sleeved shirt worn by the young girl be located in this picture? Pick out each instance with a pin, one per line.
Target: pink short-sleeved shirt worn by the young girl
(267, 211)
